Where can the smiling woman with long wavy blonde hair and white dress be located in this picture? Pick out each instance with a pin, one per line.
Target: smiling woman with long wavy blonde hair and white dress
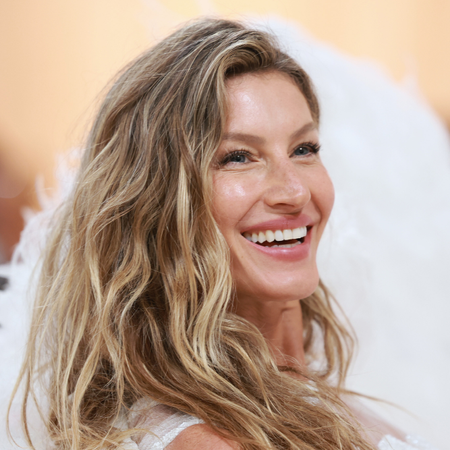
(179, 293)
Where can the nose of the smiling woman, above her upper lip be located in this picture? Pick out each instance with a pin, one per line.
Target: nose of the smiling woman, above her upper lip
(286, 189)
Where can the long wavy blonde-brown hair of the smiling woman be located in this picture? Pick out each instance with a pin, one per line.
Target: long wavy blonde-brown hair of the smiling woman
(135, 293)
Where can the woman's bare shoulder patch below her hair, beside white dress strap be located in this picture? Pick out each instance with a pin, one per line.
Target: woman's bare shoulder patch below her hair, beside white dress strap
(201, 436)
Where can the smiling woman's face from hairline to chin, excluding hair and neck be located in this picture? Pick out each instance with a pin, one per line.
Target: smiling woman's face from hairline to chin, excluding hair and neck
(272, 195)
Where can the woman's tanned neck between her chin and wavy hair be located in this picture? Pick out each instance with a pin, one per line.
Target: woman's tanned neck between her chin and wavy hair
(282, 326)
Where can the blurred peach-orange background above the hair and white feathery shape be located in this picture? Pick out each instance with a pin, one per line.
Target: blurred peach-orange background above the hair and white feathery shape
(55, 58)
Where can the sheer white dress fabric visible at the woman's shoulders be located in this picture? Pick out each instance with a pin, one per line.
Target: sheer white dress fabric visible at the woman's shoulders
(167, 423)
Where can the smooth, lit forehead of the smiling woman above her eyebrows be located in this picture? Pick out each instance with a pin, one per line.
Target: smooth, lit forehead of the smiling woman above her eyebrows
(266, 102)
